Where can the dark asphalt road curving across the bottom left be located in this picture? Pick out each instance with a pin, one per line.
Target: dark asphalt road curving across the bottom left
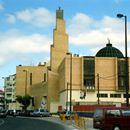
(21, 123)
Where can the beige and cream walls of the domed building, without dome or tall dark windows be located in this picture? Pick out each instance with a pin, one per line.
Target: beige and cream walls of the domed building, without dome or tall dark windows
(109, 89)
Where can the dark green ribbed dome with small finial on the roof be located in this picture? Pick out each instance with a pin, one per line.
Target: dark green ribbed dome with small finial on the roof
(109, 51)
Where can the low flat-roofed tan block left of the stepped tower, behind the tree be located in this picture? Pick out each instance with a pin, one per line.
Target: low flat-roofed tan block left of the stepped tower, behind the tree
(31, 80)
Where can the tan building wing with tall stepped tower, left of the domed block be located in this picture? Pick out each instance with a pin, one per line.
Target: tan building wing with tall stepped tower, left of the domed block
(42, 82)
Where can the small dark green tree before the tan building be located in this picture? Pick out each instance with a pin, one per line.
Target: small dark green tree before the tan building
(24, 100)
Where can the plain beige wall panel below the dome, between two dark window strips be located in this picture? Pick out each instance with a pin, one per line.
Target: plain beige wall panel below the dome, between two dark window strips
(107, 70)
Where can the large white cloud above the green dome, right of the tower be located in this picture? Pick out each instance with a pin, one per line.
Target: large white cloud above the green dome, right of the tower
(86, 31)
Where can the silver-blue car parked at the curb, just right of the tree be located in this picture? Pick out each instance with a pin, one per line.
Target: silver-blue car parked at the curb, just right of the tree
(40, 113)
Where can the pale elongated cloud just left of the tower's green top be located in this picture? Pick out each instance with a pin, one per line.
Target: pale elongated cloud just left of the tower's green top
(40, 17)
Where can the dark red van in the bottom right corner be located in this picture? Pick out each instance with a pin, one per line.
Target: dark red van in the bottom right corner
(112, 119)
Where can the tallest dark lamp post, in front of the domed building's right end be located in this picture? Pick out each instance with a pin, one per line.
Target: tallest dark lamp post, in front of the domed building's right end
(126, 60)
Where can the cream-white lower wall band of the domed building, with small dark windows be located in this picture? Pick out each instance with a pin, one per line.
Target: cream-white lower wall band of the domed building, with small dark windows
(106, 97)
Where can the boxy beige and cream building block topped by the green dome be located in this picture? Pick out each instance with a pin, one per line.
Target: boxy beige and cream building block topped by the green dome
(100, 78)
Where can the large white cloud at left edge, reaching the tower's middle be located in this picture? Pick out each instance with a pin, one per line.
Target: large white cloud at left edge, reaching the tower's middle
(14, 45)
